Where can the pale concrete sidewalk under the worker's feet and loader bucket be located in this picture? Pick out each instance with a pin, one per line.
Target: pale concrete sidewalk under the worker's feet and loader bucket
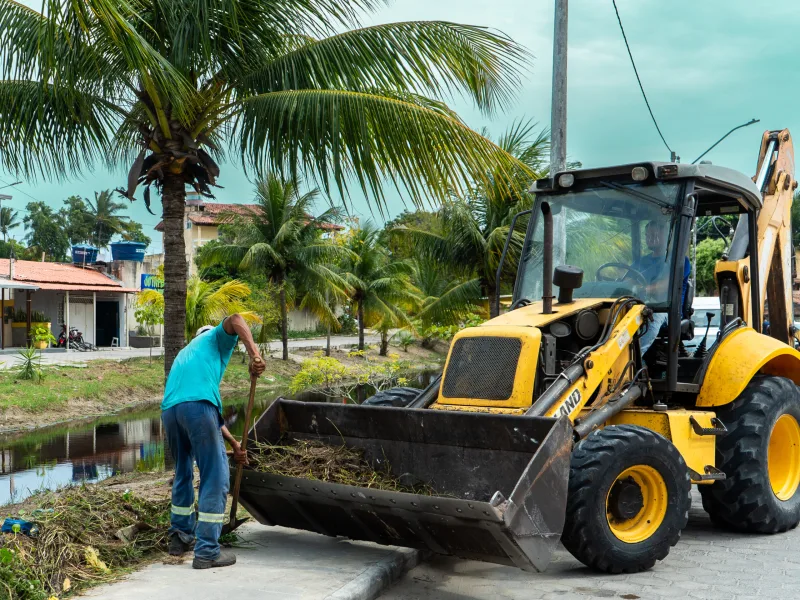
(275, 563)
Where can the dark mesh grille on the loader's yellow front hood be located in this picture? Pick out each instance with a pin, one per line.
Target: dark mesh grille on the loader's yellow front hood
(482, 368)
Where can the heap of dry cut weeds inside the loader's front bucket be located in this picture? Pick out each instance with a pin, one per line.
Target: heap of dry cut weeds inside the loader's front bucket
(312, 459)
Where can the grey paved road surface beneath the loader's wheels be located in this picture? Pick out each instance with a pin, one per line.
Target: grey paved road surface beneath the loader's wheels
(707, 563)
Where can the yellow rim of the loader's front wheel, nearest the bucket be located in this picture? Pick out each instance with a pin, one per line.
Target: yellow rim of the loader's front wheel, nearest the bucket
(636, 504)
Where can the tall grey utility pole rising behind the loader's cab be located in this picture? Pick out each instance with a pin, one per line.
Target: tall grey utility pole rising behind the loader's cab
(558, 121)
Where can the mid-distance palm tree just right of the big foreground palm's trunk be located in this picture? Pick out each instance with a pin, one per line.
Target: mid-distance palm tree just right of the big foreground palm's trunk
(281, 240)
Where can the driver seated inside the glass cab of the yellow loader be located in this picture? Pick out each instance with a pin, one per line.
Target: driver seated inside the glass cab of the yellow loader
(655, 269)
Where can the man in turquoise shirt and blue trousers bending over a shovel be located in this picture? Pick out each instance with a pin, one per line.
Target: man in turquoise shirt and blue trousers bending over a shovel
(192, 417)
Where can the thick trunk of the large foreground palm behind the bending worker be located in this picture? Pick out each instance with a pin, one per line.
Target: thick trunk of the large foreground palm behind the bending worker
(175, 267)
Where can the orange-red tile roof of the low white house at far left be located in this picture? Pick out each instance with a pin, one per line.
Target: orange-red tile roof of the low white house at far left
(56, 276)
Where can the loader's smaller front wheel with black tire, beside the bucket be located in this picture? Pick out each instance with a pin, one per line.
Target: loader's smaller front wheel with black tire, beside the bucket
(628, 499)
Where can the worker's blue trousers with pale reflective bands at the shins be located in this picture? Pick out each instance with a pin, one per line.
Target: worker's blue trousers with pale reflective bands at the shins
(193, 433)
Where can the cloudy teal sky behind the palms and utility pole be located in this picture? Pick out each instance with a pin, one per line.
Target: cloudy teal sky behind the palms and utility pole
(705, 66)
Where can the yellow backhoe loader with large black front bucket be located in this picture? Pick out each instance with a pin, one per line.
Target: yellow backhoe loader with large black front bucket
(549, 424)
